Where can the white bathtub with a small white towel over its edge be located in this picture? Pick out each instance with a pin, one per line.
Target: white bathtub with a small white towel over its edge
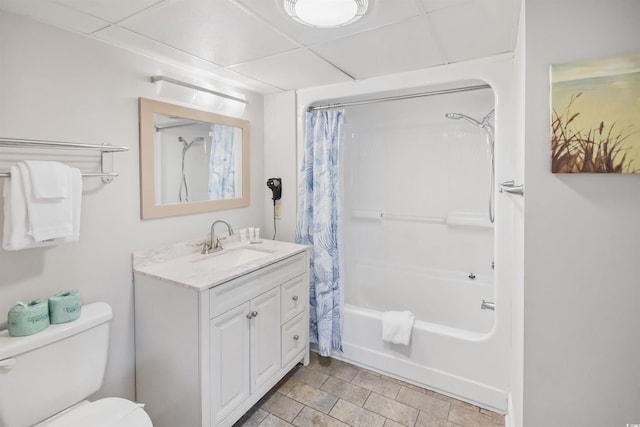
(459, 351)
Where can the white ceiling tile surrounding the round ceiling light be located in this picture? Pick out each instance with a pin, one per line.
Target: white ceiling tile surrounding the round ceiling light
(384, 12)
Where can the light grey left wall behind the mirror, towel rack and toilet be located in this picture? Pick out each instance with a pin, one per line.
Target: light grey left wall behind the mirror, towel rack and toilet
(58, 85)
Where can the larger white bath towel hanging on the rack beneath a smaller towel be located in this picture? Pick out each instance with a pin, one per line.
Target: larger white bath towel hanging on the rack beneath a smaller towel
(17, 230)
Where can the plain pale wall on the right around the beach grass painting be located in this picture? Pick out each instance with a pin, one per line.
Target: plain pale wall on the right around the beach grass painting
(582, 275)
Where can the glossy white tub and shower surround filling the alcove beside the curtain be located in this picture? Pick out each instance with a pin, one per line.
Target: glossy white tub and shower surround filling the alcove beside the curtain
(431, 253)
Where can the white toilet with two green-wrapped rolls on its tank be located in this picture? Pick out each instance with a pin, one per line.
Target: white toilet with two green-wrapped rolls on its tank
(45, 378)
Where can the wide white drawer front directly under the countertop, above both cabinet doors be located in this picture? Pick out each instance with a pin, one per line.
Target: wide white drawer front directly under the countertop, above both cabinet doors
(237, 291)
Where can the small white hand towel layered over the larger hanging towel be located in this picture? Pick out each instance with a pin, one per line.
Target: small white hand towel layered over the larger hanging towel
(49, 180)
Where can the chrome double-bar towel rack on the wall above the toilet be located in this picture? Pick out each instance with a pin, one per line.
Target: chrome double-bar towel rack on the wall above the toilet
(106, 163)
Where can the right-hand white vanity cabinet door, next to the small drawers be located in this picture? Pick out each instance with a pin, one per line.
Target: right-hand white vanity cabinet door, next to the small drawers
(265, 337)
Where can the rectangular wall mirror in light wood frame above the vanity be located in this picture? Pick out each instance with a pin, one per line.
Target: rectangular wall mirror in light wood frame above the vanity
(191, 160)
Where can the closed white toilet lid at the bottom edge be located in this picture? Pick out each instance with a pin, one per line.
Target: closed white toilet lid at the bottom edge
(108, 412)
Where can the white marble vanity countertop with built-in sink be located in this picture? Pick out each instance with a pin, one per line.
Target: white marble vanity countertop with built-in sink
(183, 265)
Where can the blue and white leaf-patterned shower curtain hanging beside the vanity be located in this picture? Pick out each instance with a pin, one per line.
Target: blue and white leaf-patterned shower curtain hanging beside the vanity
(318, 225)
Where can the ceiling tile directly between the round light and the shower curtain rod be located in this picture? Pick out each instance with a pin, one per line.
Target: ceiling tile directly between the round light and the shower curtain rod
(395, 48)
